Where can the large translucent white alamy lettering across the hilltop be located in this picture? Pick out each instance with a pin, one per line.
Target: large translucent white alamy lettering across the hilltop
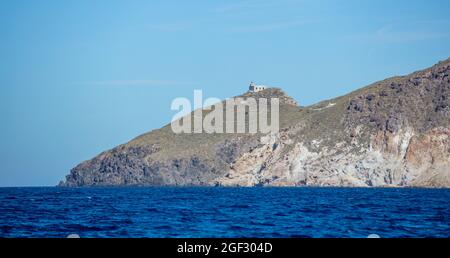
(235, 115)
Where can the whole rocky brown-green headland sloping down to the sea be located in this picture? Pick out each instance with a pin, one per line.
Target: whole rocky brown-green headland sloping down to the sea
(392, 133)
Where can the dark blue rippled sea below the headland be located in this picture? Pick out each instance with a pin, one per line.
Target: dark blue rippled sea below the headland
(224, 212)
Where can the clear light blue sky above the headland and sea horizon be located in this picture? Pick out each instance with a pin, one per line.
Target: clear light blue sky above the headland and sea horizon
(80, 77)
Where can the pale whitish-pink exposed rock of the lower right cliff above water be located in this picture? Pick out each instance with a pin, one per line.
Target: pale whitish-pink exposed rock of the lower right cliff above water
(392, 160)
